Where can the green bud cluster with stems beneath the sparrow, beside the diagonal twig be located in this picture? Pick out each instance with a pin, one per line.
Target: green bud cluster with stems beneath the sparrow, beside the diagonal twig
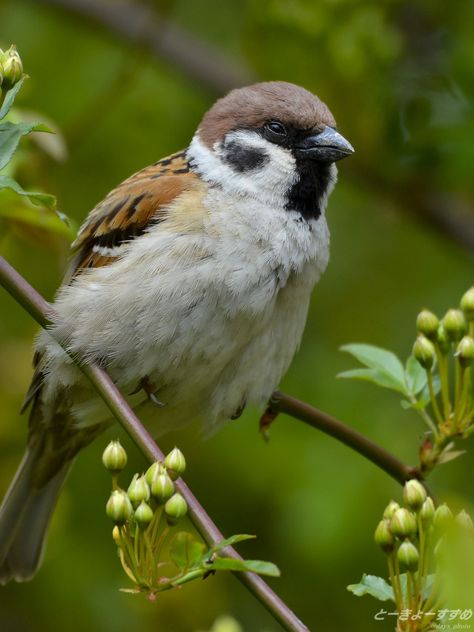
(143, 514)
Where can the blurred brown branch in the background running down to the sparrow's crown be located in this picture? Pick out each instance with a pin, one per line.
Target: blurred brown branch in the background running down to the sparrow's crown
(138, 24)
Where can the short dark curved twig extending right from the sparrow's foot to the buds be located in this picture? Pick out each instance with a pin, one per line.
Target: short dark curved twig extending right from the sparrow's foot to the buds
(280, 402)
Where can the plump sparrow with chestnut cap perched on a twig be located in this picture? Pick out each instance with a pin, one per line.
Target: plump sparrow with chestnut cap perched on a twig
(190, 283)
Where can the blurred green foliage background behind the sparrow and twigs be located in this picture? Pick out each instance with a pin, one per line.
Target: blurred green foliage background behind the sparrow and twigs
(398, 76)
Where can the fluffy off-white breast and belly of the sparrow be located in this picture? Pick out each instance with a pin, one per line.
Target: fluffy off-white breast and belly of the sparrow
(212, 316)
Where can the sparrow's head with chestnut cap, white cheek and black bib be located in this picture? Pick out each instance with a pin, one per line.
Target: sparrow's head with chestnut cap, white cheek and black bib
(273, 141)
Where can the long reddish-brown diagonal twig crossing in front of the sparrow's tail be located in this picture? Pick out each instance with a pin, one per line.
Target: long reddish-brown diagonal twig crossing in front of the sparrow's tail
(42, 312)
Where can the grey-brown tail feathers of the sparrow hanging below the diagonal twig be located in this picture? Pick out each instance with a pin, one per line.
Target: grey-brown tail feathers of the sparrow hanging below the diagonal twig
(24, 516)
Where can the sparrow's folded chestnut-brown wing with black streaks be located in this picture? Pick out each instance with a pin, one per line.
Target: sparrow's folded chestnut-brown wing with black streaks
(128, 211)
